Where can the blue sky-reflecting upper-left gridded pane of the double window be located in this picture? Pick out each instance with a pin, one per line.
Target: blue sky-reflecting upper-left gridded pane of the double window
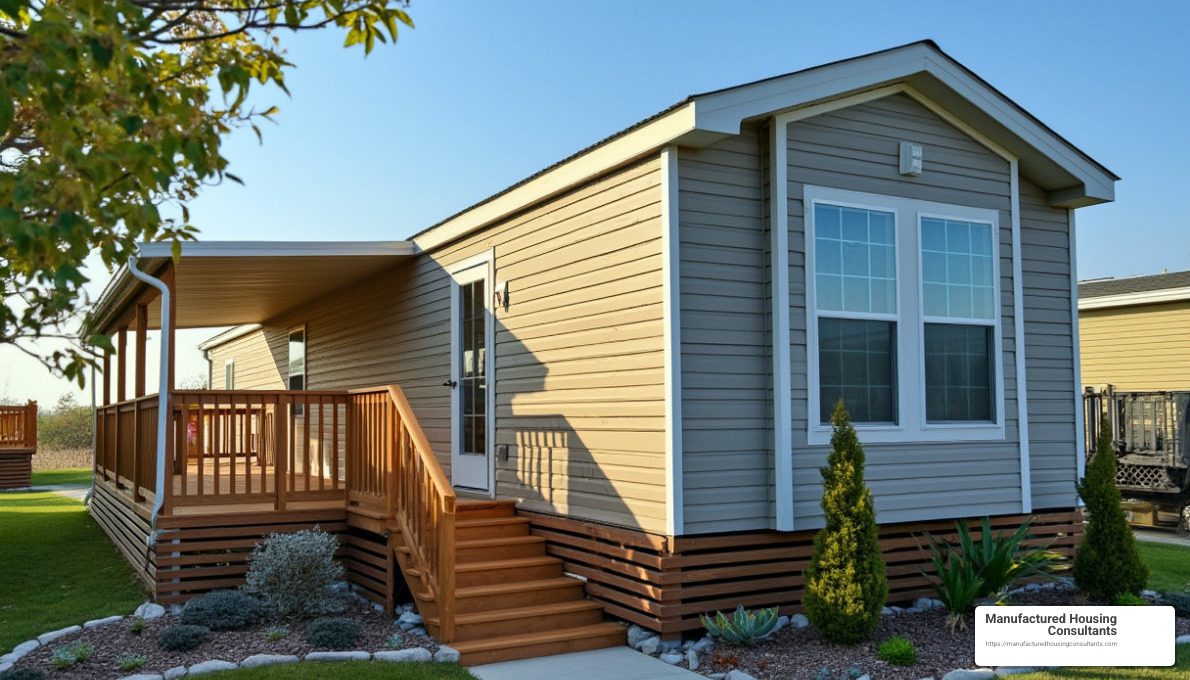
(855, 253)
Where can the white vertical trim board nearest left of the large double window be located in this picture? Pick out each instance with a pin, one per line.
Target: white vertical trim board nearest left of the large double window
(782, 389)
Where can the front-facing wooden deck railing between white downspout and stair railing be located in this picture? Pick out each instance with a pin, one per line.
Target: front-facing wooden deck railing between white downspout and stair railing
(259, 447)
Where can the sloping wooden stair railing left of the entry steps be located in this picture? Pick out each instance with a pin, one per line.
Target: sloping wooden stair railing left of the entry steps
(393, 470)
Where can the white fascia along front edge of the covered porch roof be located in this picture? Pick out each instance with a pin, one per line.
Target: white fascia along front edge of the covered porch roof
(279, 249)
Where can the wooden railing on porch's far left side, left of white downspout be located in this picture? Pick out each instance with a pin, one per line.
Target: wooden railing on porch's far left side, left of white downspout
(127, 446)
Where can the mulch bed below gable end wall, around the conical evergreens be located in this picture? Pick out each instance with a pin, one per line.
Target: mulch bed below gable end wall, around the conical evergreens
(803, 654)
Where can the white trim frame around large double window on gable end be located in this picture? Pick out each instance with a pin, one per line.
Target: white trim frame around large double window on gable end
(911, 389)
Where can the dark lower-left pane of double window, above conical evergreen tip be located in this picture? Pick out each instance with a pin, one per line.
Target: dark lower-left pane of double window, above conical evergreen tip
(857, 361)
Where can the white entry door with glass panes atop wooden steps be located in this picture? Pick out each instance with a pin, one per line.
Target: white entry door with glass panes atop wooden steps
(472, 370)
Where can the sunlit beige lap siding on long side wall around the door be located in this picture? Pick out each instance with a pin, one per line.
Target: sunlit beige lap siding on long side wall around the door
(579, 354)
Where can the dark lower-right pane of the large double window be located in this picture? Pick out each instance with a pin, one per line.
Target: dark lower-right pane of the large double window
(960, 385)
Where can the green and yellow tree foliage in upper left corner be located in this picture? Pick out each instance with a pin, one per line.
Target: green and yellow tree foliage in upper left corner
(112, 116)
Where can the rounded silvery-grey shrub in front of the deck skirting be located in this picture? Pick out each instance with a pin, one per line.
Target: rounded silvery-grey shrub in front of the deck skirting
(295, 572)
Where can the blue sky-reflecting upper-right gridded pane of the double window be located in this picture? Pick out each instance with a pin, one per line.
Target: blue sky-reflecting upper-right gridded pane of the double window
(959, 270)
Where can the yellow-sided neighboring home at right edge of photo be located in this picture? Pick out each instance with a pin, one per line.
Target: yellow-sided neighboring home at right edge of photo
(1135, 333)
